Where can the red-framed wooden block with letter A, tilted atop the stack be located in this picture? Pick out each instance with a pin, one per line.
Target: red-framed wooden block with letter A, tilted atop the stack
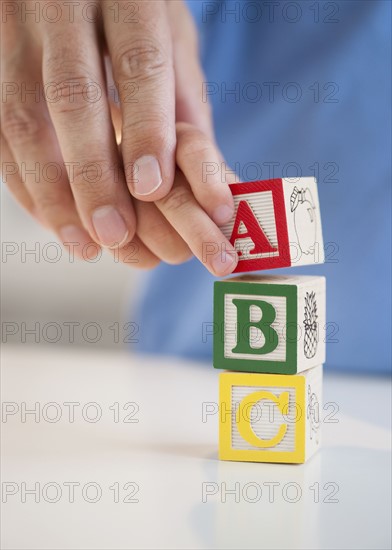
(276, 224)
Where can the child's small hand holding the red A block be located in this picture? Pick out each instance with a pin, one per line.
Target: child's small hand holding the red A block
(175, 228)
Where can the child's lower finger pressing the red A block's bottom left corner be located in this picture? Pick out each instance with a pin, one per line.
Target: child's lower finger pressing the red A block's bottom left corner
(203, 237)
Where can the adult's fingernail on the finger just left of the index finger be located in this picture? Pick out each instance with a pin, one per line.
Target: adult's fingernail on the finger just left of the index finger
(109, 226)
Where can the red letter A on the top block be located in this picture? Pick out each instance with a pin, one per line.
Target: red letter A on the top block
(253, 231)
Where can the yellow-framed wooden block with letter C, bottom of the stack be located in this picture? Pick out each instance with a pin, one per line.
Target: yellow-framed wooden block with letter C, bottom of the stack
(270, 417)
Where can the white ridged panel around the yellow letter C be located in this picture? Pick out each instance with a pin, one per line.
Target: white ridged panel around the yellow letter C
(265, 418)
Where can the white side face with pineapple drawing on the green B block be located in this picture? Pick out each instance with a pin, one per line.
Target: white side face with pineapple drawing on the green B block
(311, 314)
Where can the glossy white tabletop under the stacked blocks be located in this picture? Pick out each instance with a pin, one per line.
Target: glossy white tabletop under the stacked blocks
(166, 464)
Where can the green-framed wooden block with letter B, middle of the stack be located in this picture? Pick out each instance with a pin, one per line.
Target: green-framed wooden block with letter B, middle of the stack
(269, 324)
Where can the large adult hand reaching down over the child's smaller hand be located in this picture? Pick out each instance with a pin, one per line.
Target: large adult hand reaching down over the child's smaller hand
(65, 126)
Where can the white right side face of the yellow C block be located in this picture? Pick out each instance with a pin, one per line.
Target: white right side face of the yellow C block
(314, 408)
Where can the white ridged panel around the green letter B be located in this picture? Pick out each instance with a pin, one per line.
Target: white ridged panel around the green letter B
(257, 338)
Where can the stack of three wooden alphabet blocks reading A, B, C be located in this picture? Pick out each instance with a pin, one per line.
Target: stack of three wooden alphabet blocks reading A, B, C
(269, 331)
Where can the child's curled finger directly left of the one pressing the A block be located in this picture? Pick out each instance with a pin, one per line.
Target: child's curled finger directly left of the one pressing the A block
(159, 236)
